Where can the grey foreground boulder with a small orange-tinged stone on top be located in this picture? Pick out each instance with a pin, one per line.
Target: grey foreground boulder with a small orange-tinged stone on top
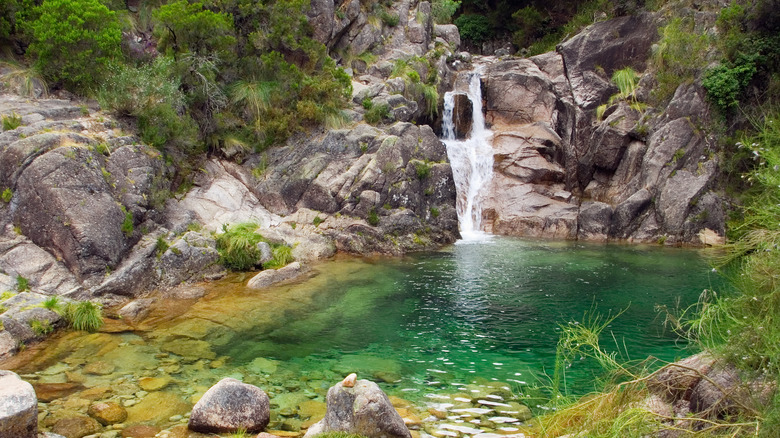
(363, 409)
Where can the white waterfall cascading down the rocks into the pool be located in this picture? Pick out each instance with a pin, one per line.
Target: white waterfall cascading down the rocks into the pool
(471, 159)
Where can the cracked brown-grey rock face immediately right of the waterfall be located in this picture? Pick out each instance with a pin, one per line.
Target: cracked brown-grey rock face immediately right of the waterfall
(638, 173)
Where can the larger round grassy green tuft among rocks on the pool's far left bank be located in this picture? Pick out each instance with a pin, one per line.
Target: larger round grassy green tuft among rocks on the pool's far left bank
(237, 246)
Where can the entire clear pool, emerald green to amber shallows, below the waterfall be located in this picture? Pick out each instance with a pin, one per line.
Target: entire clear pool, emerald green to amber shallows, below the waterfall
(474, 321)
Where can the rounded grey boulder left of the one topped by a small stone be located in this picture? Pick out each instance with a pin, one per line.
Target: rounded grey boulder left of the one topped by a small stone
(230, 405)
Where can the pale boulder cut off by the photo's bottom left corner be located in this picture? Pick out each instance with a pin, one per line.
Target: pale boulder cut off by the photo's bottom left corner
(18, 407)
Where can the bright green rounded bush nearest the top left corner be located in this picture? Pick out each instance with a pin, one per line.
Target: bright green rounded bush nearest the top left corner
(74, 41)
